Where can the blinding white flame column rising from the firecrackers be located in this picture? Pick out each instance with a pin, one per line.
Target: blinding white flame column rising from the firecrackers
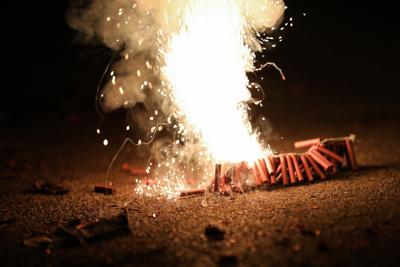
(206, 64)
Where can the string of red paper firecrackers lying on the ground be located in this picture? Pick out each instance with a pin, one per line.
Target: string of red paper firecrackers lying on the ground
(323, 158)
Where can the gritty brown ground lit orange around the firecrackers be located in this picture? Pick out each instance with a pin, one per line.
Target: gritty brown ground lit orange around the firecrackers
(352, 219)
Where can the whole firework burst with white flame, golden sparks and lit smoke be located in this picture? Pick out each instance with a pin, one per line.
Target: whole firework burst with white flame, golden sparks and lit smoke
(186, 62)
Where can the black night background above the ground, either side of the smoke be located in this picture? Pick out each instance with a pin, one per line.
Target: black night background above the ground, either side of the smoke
(344, 52)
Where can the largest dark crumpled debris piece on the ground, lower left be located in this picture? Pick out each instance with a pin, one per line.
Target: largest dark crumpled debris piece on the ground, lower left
(77, 232)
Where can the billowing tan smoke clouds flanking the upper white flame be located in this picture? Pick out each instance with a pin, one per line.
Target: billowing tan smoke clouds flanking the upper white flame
(135, 27)
